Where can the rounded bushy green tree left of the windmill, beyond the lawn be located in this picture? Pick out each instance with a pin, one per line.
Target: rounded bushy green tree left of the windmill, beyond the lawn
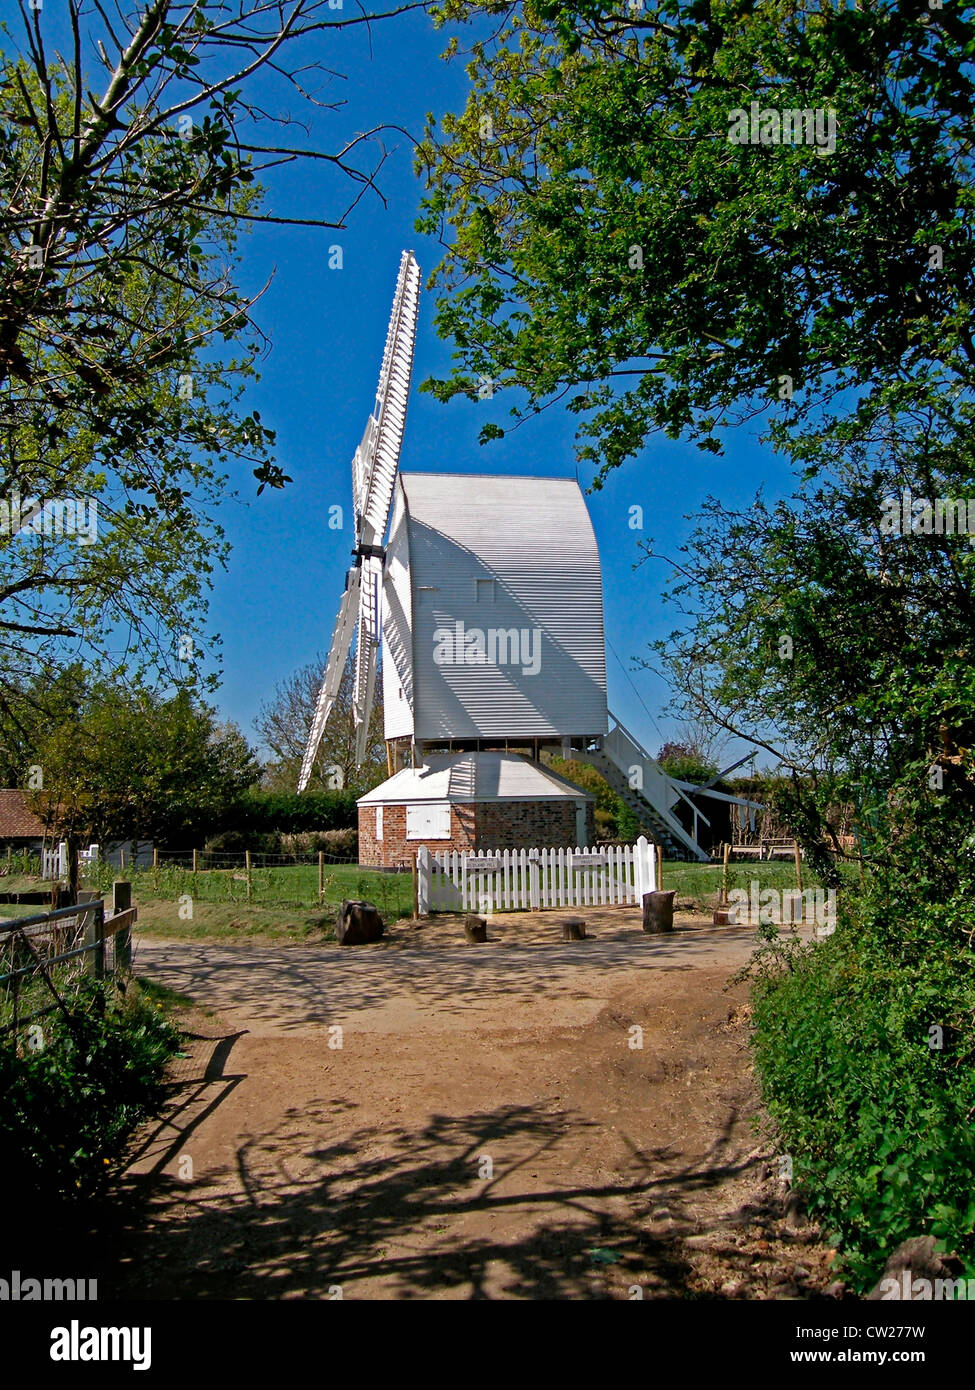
(136, 767)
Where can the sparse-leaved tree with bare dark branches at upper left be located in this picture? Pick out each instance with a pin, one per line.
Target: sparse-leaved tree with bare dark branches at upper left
(129, 166)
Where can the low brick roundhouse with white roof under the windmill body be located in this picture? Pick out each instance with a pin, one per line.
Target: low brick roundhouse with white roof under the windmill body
(468, 803)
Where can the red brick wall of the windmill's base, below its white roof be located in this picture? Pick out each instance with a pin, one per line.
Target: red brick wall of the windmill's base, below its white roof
(514, 825)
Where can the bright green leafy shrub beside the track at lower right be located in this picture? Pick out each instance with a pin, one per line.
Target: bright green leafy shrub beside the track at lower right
(864, 1046)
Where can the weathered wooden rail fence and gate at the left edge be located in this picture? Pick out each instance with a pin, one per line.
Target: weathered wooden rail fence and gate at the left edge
(34, 949)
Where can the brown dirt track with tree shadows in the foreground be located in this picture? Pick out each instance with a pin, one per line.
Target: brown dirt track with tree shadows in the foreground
(487, 1128)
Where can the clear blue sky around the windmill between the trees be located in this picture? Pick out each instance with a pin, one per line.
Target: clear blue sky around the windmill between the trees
(276, 605)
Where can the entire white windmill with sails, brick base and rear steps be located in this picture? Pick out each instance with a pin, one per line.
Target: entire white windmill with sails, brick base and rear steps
(487, 601)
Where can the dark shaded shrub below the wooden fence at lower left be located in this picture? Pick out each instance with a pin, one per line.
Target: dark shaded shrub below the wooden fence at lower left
(70, 1109)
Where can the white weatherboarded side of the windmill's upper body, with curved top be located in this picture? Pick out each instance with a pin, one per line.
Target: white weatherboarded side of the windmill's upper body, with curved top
(532, 546)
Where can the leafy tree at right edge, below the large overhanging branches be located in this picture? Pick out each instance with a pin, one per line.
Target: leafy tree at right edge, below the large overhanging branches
(845, 648)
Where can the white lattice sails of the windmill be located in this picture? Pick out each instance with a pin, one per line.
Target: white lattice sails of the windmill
(373, 479)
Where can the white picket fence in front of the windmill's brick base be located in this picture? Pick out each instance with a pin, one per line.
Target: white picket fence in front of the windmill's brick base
(510, 879)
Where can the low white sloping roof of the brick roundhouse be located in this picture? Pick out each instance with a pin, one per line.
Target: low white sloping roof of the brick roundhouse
(467, 778)
